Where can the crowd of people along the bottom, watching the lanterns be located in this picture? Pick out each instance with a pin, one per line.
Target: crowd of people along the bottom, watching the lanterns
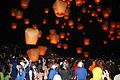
(55, 67)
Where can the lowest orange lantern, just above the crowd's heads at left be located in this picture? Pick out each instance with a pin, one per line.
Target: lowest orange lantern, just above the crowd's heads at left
(33, 54)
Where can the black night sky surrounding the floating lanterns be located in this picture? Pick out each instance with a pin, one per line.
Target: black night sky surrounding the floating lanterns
(35, 12)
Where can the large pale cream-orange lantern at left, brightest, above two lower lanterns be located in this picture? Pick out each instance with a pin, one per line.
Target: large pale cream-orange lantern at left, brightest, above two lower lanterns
(31, 36)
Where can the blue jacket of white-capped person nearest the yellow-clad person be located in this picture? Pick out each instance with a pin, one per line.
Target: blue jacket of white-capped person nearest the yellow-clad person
(81, 73)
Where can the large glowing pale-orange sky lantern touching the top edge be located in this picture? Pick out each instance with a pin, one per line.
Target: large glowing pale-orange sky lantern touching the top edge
(59, 8)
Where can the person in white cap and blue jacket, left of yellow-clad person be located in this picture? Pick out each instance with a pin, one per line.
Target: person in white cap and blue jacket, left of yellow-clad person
(81, 72)
